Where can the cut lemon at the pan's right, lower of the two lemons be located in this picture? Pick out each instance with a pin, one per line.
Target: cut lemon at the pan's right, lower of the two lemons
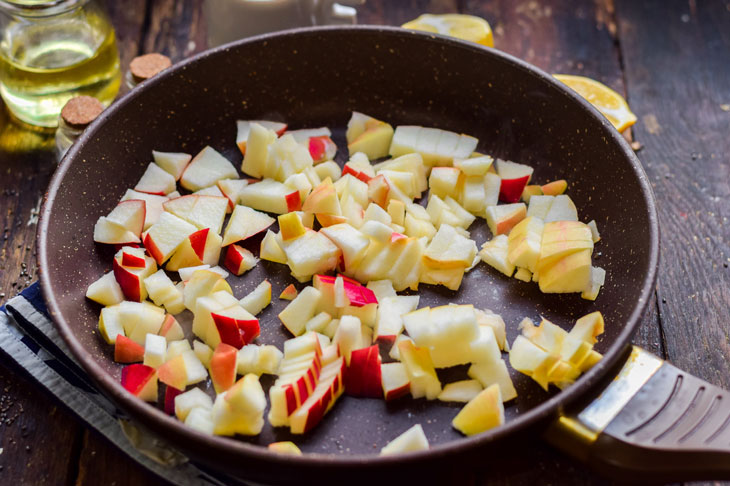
(607, 101)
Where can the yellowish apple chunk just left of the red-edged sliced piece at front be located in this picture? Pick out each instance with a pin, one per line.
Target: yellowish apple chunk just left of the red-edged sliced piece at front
(240, 410)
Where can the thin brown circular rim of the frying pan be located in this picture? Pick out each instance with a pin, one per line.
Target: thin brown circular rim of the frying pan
(165, 425)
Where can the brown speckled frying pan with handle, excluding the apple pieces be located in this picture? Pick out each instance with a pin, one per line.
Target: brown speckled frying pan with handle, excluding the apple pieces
(648, 418)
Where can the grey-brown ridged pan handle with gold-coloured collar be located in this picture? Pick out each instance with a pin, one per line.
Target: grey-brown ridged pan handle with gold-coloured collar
(652, 422)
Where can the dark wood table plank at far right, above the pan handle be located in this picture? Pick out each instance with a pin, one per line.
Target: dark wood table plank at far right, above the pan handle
(679, 52)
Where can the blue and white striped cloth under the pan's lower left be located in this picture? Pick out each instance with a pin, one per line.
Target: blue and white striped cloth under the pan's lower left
(29, 338)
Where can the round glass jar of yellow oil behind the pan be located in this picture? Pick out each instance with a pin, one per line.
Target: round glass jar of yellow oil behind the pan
(51, 51)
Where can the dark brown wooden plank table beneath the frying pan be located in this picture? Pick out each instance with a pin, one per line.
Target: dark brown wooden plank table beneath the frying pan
(672, 61)
